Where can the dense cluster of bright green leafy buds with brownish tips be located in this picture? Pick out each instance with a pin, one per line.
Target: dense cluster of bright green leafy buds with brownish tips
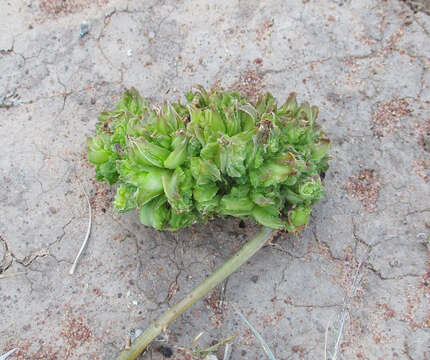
(216, 155)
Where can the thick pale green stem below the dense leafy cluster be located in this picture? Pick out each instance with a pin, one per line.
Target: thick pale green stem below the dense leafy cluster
(209, 283)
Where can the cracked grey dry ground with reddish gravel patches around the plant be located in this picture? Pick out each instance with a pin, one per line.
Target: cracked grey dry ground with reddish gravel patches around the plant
(362, 265)
